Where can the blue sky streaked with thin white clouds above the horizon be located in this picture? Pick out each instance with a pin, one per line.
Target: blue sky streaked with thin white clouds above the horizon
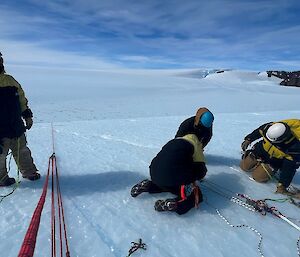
(92, 34)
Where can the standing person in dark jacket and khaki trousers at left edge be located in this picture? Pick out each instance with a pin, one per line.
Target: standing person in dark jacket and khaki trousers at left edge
(14, 111)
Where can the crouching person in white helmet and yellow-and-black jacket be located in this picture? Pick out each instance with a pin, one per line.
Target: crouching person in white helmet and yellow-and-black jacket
(278, 150)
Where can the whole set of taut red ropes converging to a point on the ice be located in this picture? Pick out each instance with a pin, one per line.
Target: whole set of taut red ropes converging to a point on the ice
(28, 246)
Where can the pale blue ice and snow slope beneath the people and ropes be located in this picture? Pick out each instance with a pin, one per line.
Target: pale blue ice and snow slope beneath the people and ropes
(109, 125)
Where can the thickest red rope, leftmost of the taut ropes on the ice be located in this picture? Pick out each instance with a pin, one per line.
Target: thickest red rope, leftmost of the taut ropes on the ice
(27, 248)
